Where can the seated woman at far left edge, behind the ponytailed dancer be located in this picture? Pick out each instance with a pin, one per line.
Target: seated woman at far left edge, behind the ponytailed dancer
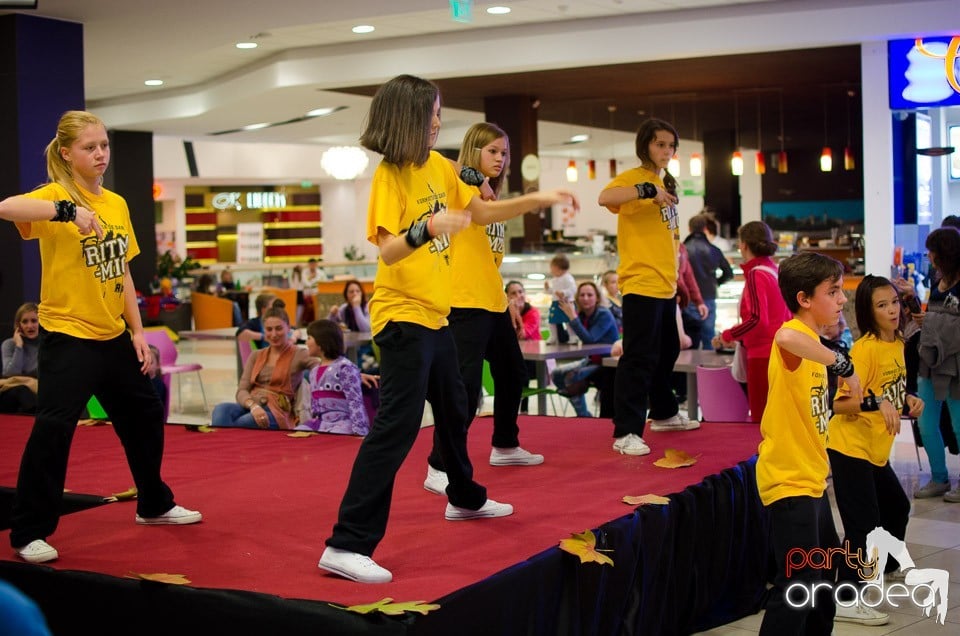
(18, 388)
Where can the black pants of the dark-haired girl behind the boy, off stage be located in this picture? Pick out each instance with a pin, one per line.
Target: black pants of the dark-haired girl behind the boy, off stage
(868, 496)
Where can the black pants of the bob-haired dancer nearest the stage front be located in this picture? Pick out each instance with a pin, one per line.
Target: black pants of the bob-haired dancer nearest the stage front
(416, 364)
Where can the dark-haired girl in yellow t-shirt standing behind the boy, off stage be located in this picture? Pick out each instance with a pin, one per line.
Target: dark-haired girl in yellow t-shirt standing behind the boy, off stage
(868, 493)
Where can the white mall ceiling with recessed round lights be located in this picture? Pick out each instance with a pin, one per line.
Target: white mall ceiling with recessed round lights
(210, 85)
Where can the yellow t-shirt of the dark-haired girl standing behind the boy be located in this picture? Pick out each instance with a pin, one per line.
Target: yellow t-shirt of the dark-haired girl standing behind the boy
(881, 368)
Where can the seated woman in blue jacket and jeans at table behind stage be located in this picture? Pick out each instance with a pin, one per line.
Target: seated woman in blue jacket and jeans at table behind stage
(592, 324)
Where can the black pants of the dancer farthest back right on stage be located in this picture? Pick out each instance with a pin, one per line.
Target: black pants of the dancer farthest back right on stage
(651, 344)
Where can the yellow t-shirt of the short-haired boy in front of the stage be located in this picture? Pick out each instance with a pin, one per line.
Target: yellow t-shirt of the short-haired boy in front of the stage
(793, 456)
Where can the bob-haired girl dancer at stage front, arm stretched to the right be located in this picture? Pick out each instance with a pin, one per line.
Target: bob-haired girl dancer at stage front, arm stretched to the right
(417, 203)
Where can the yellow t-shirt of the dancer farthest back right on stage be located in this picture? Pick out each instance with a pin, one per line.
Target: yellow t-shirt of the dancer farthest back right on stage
(647, 240)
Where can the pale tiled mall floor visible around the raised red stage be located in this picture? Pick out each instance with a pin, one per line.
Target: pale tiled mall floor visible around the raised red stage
(933, 534)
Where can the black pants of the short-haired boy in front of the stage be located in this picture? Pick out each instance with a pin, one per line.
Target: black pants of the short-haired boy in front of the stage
(800, 523)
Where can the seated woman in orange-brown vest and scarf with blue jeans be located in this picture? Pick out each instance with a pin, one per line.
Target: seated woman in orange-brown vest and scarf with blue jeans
(270, 380)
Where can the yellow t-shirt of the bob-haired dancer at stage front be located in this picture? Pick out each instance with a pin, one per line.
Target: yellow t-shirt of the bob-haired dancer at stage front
(417, 288)
